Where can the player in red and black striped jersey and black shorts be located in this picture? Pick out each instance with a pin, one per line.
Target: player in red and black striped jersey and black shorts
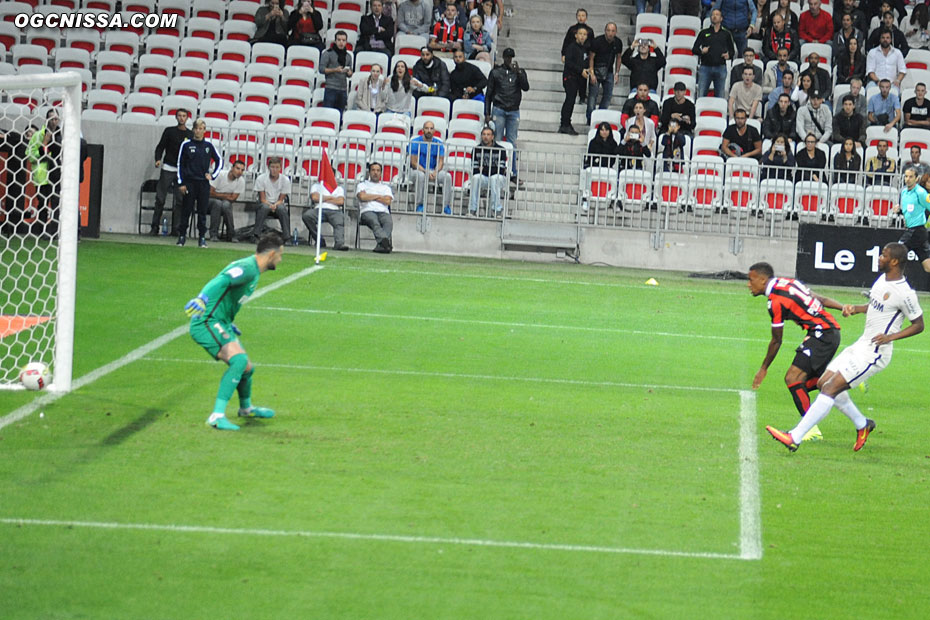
(790, 300)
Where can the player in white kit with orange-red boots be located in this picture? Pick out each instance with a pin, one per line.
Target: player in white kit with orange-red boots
(890, 300)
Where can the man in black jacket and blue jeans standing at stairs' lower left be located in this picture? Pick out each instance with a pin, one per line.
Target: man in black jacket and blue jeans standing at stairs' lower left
(506, 85)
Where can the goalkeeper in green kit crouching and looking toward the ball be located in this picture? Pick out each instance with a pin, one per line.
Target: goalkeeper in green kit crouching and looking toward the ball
(212, 313)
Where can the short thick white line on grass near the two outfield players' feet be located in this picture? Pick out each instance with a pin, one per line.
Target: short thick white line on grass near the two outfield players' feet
(750, 515)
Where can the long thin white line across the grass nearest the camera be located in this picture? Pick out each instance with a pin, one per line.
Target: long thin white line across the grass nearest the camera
(390, 538)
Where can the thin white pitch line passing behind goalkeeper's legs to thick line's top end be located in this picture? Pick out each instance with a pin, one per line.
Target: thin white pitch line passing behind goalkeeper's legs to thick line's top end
(457, 375)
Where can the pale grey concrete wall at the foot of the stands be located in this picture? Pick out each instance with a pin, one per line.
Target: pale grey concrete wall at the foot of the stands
(129, 157)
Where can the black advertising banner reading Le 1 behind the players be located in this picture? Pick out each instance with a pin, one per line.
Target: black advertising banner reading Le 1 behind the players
(848, 256)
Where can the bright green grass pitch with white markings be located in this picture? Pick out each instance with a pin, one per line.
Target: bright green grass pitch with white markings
(455, 438)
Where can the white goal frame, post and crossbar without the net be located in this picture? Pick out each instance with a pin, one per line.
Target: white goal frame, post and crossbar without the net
(70, 114)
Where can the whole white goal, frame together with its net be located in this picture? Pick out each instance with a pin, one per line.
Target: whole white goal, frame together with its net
(39, 153)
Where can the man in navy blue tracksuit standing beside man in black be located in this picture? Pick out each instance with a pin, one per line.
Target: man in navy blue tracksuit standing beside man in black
(194, 176)
